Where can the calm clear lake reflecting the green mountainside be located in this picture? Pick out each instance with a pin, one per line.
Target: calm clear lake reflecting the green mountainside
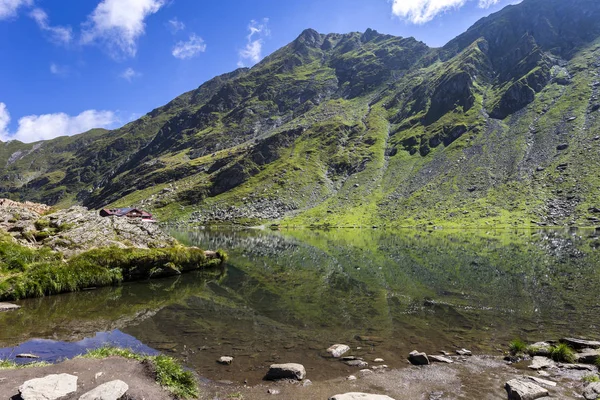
(286, 297)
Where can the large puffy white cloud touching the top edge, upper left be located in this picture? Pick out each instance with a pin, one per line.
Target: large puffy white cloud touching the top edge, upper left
(119, 24)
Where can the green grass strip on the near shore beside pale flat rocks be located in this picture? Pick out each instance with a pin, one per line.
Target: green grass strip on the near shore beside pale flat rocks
(167, 371)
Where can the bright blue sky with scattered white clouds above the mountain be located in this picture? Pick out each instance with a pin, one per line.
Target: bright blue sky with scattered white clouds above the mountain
(72, 65)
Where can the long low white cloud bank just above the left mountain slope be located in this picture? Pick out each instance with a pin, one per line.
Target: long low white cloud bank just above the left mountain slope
(33, 128)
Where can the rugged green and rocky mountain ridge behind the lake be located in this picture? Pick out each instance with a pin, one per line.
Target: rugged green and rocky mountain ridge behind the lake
(500, 126)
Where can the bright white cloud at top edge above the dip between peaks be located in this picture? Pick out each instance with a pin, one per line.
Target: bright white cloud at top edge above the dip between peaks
(422, 11)
